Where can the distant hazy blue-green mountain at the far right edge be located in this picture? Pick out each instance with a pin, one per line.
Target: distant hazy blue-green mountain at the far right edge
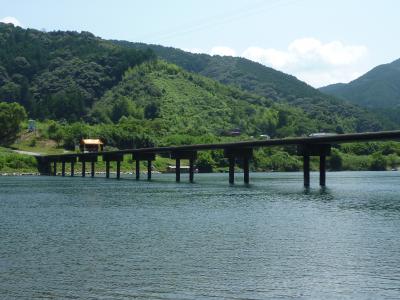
(378, 88)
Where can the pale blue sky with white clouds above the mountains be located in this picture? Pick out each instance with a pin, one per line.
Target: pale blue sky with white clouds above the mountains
(320, 42)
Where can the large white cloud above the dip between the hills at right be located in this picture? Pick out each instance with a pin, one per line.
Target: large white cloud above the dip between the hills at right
(314, 62)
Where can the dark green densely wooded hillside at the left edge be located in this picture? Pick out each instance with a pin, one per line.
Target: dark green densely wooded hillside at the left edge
(60, 74)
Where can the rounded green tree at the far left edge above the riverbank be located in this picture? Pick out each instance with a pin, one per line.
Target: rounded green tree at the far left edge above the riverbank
(11, 116)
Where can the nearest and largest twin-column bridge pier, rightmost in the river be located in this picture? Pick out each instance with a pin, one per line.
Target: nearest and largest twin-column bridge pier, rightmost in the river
(307, 150)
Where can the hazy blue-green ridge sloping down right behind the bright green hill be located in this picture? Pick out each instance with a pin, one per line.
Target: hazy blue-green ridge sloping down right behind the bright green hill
(278, 86)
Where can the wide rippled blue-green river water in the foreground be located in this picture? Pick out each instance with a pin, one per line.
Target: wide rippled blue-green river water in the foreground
(106, 239)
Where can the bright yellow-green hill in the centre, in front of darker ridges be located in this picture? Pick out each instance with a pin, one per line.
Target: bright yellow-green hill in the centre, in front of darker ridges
(174, 101)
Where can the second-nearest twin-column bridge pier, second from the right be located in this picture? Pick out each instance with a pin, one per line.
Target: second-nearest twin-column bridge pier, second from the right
(242, 154)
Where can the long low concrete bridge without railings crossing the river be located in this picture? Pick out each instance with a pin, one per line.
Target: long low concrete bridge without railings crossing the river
(238, 151)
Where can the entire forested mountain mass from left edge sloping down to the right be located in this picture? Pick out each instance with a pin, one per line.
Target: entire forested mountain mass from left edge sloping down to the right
(79, 77)
